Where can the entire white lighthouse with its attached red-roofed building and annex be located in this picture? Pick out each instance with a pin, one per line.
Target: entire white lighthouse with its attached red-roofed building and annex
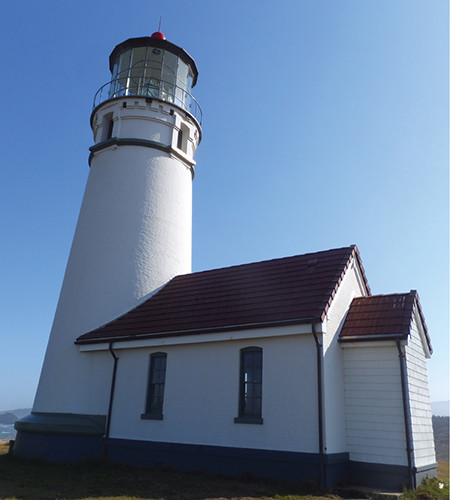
(286, 368)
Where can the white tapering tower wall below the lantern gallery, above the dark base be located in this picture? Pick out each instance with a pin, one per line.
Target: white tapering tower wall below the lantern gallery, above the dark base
(133, 235)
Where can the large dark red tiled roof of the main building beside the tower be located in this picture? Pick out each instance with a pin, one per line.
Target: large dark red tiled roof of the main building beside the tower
(290, 290)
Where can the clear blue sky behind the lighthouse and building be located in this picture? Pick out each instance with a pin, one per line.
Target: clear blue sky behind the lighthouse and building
(325, 124)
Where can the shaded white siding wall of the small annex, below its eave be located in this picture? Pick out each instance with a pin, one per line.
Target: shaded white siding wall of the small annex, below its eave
(373, 400)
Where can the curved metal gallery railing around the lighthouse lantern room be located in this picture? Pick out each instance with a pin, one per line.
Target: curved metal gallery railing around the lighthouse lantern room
(149, 87)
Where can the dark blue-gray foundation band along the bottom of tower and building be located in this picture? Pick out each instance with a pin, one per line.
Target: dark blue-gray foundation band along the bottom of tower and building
(338, 469)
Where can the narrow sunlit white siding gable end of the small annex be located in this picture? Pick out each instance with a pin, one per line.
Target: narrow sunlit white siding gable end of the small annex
(419, 400)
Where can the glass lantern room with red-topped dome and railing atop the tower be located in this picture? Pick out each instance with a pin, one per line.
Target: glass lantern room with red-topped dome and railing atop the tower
(155, 68)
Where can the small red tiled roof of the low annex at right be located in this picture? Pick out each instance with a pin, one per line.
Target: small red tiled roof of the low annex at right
(382, 316)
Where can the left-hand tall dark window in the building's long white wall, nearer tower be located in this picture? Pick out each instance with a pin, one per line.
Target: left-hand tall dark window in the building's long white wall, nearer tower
(155, 390)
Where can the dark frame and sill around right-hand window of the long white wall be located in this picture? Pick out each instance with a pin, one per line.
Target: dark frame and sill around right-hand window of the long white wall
(245, 416)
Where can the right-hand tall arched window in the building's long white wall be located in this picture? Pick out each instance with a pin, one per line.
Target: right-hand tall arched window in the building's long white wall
(250, 386)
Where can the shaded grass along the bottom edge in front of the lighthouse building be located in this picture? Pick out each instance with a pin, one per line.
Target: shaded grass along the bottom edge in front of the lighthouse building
(29, 480)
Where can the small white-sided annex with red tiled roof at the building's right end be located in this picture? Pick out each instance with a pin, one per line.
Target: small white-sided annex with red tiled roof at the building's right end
(388, 415)
